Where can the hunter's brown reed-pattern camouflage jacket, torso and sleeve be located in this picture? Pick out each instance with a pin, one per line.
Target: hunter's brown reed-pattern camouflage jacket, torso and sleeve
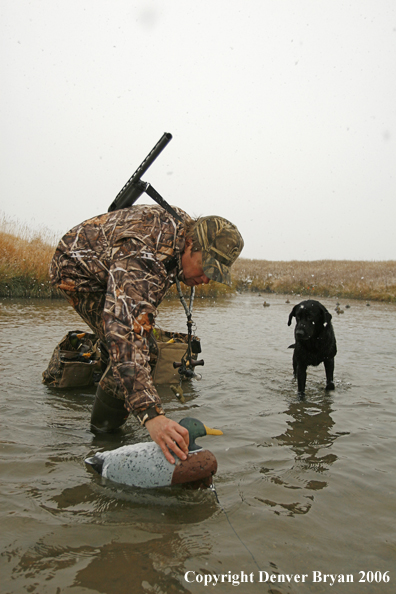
(132, 256)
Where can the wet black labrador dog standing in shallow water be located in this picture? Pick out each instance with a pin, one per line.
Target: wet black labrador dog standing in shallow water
(315, 341)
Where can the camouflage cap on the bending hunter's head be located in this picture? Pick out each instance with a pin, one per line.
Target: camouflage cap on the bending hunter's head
(221, 245)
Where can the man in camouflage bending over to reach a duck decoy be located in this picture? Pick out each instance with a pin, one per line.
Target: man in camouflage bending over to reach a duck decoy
(114, 270)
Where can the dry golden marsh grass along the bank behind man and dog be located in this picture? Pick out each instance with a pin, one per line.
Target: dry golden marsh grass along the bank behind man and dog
(25, 257)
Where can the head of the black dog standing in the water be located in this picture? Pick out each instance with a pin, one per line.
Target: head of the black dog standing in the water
(311, 319)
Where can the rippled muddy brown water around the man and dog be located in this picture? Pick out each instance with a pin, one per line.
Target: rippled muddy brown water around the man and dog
(304, 486)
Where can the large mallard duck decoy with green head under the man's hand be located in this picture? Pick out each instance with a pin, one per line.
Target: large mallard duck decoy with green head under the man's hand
(144, 464)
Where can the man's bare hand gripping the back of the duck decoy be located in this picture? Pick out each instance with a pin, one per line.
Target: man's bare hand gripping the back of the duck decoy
(168, 434)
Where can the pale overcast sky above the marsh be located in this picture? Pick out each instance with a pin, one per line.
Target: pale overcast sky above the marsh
(283, 116)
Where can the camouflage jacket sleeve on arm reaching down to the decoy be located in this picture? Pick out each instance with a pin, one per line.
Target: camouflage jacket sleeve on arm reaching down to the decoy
(136, 285)
